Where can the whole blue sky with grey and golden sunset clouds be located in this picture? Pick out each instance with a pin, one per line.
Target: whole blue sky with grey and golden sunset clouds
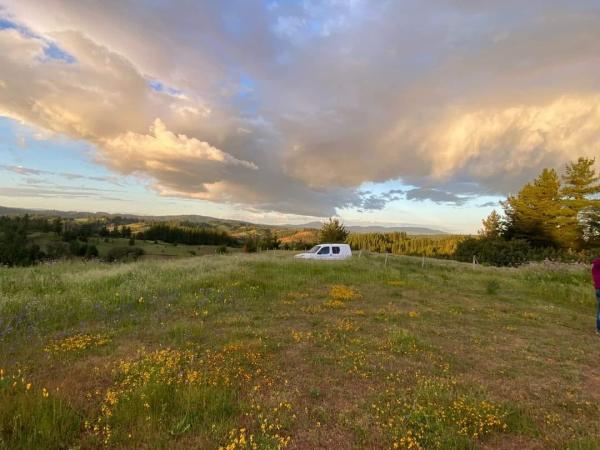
(286, 111)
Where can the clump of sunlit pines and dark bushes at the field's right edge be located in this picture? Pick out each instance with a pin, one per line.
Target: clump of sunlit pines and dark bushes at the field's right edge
(556, 217)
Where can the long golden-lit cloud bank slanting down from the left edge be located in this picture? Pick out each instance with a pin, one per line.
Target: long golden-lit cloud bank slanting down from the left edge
(50, 95)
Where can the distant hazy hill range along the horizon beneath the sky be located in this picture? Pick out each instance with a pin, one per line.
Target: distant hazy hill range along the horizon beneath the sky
(213, 221)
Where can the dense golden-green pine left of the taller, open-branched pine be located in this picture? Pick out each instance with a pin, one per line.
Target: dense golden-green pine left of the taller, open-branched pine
(532, 213)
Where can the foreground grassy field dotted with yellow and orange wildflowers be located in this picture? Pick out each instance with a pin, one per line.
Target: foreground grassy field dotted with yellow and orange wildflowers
(261, 351)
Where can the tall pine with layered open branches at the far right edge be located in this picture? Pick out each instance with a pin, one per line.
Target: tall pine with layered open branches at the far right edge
(580, 185)
